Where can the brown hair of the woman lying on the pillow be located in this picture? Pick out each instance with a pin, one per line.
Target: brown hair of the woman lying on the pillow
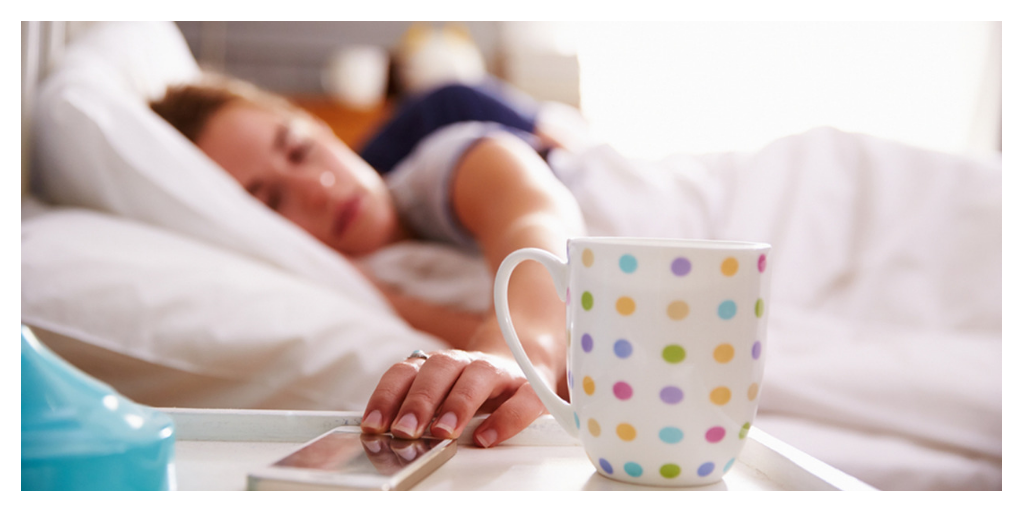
(190, 107)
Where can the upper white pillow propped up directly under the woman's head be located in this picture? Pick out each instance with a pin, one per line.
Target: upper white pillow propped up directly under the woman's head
(98, 145)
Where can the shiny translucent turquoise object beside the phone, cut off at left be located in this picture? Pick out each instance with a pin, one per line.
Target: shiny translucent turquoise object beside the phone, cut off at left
(79, 435)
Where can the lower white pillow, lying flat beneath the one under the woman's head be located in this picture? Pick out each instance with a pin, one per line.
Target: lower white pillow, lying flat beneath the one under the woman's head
(172, 322)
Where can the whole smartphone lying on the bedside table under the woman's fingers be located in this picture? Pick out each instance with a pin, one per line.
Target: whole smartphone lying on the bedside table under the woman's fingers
(347, 459)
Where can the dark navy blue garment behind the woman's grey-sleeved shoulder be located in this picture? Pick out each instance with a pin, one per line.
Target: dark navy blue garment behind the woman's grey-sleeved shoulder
(419, 117)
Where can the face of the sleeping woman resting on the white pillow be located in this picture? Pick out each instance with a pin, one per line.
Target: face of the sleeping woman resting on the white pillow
(302, 170)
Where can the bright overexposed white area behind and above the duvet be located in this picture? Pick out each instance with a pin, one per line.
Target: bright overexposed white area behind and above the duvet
(654, 90)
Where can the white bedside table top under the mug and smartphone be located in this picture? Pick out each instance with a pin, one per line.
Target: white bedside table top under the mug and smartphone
(217, 449)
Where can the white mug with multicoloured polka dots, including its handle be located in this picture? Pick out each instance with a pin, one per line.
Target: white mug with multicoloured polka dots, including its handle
(666, 353)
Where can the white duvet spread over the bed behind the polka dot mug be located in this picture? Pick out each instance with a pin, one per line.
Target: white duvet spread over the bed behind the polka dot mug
(885, 331)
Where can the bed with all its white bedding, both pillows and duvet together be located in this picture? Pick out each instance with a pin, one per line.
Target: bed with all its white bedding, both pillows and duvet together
(147, 268)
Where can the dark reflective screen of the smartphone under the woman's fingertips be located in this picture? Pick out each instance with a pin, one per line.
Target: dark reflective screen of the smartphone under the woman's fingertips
(350, 453)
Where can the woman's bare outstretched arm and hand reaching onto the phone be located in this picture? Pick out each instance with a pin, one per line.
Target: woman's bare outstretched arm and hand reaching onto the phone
(508, 199)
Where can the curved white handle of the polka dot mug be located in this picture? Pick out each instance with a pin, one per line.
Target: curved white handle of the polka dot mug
(559, 270)
